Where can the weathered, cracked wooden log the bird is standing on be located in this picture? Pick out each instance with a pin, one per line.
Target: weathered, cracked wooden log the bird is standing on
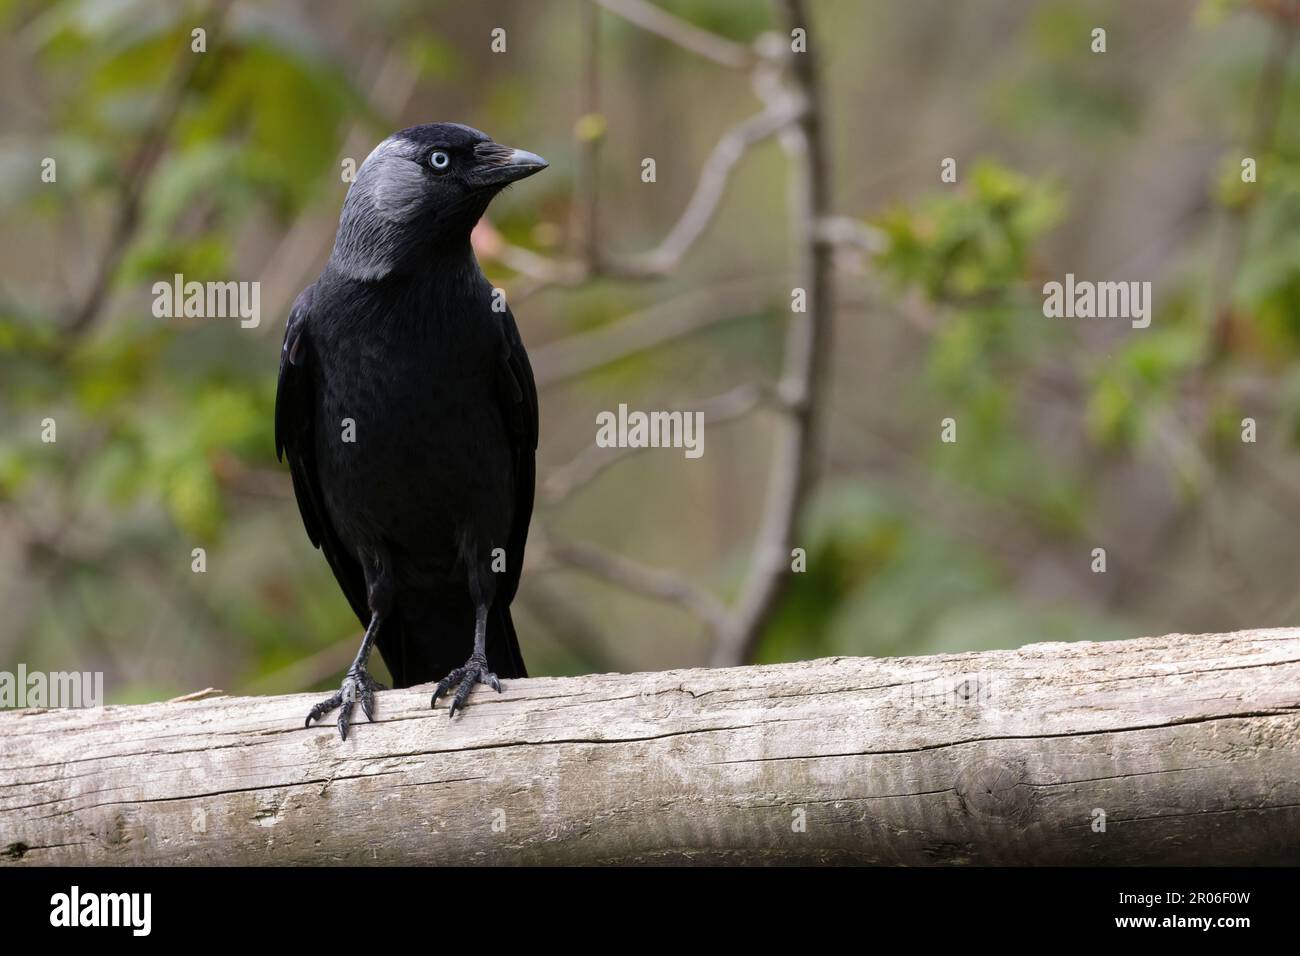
(1189, 745)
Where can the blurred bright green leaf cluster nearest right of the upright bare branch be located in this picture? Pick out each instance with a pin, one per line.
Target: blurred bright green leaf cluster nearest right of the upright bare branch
(970, 253)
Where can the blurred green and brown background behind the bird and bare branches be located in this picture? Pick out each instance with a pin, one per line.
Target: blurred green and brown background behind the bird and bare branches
(1073, 435)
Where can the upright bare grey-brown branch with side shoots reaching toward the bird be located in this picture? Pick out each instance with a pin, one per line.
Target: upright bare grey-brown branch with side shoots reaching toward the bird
(796, 116)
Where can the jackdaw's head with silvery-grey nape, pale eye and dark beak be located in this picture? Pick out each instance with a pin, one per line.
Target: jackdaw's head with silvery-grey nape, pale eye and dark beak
(421, 193)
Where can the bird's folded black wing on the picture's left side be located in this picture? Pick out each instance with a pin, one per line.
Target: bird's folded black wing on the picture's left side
(296, 440)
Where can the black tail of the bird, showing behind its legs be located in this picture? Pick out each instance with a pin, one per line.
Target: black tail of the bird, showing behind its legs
(426, 646)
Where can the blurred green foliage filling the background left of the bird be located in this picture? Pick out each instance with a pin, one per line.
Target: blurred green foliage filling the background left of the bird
(159, 423)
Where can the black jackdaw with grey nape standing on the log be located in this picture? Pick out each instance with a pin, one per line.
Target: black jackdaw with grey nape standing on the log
(409, 414)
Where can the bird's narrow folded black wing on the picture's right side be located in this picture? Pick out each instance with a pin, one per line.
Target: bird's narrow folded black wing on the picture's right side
(517, 395)
